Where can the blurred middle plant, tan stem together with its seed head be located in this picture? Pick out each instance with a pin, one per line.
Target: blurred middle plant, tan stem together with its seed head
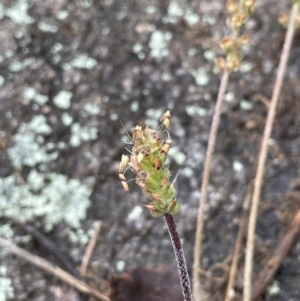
(239, 12)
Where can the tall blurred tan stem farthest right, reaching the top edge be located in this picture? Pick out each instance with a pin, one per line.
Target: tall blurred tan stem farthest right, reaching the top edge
(263, 151)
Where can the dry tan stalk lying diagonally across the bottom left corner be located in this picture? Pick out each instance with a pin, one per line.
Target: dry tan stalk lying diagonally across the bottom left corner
(52, 269)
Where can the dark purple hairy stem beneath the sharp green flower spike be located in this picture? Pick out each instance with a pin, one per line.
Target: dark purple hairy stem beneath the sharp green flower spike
(180, 259)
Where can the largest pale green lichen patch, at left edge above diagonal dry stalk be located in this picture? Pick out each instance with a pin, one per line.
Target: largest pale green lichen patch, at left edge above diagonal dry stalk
(52, 196)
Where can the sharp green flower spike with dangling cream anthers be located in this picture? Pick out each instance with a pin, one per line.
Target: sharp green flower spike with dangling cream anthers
(148, 154)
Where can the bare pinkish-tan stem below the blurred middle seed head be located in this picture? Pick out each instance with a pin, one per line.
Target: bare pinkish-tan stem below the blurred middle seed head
(205, 180)
